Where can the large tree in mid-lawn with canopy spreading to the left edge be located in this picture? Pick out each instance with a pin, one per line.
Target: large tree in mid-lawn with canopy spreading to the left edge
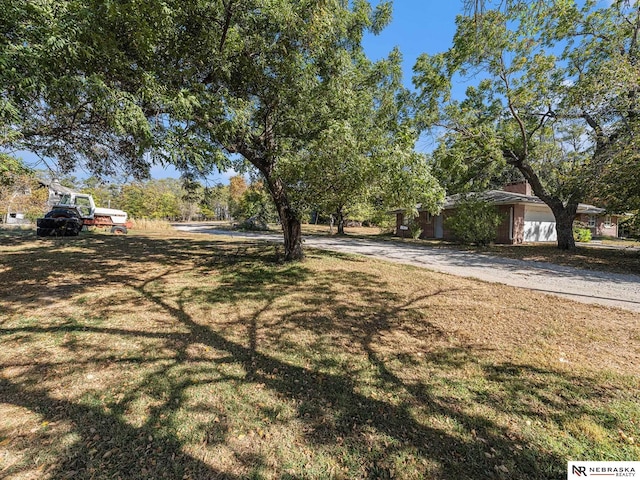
(191, 83)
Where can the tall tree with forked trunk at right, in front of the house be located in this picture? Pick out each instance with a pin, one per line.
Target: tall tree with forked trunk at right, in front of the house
(553, 74)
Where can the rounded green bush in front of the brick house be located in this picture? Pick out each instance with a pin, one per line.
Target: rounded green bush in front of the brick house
(475, 221)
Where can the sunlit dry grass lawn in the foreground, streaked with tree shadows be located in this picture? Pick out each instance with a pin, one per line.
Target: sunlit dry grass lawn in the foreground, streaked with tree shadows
(183, 356)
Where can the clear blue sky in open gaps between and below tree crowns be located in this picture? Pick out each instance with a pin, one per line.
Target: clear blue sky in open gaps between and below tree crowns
(417, 26)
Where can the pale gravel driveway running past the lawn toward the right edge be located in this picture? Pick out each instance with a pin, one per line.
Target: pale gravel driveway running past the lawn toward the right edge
(611, 289)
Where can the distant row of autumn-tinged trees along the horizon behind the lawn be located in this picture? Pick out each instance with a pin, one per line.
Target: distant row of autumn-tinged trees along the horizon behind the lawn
(21, 190)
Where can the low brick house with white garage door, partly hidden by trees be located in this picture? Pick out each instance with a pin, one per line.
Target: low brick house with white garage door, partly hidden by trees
(526, 217)
